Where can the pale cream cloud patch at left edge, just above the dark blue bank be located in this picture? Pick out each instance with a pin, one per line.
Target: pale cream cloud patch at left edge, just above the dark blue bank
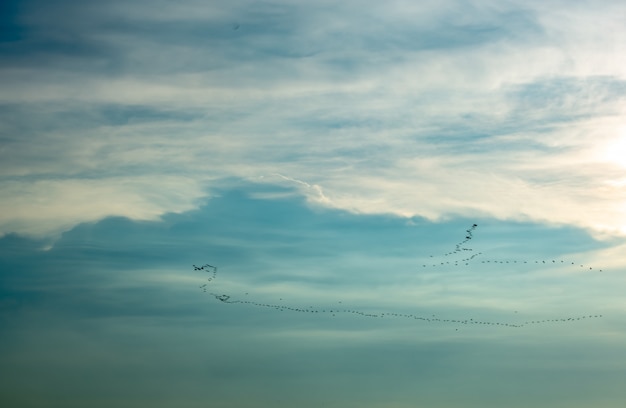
(52, 206)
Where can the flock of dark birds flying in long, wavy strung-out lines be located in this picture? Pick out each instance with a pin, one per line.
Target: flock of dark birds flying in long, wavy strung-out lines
(459, 248)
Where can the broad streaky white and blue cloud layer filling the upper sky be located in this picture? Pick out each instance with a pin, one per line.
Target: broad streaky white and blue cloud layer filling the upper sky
(404, 110)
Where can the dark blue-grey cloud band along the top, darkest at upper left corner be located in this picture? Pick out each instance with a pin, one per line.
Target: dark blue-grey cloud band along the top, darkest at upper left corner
(106, 39)
